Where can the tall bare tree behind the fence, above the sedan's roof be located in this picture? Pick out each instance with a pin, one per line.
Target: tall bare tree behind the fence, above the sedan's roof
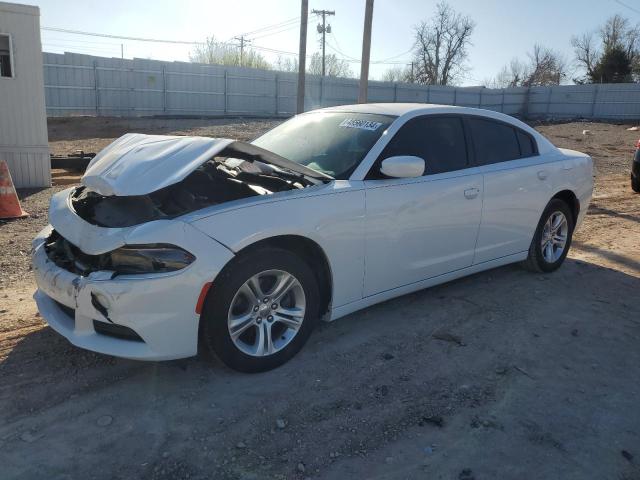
(441, 46)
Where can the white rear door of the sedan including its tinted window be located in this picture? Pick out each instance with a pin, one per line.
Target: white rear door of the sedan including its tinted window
(517, 186)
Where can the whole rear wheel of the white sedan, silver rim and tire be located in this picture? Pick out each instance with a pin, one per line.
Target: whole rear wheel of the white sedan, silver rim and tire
(552, 238)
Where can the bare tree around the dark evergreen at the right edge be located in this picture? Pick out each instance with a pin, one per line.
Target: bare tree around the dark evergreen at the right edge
(617, 34)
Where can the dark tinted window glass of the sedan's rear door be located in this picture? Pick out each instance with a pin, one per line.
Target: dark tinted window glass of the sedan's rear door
(494, 142)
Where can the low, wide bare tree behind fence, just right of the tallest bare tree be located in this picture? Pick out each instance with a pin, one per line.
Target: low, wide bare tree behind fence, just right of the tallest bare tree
(542, 67)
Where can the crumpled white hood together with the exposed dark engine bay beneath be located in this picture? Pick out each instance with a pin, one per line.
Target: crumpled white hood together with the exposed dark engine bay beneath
(179, 181)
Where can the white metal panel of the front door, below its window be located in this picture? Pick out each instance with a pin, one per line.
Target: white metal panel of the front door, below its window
(411, 236)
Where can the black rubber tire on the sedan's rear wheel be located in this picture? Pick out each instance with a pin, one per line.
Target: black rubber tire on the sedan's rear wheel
(539, 261)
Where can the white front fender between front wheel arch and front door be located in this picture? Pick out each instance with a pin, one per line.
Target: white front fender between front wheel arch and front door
(331, 215)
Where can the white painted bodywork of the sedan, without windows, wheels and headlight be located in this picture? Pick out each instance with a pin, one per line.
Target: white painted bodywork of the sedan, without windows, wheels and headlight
(381, 238)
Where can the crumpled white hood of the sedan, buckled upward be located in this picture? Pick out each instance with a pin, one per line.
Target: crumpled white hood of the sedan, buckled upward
(137, 164)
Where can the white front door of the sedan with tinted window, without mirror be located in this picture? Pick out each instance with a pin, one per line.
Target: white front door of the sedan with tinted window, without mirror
(418, 228)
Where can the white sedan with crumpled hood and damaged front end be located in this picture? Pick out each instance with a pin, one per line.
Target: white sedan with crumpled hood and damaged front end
(172, 241)
